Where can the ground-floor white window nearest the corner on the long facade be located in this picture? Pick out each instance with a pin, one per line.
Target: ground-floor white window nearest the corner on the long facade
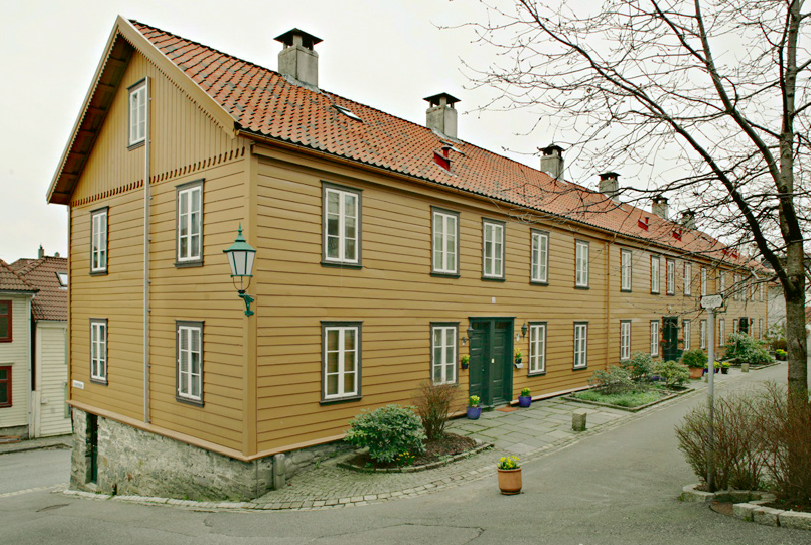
(341, 360)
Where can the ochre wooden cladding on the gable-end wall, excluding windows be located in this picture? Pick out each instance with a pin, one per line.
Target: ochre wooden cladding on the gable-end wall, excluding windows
(186, 146)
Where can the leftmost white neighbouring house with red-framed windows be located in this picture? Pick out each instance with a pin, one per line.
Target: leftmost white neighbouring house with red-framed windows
(15, 351)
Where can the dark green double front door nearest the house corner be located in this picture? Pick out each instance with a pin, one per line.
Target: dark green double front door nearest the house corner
(491, 350)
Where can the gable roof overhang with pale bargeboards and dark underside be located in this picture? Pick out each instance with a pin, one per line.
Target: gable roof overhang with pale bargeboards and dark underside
(122, 42)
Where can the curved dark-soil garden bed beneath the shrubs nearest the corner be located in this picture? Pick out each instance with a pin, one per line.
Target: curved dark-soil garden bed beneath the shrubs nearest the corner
(450, 448)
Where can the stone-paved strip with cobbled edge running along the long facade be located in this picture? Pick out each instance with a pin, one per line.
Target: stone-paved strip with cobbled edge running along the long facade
(531, 433)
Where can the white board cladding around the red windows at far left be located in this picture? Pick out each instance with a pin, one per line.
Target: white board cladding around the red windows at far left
(15, 354)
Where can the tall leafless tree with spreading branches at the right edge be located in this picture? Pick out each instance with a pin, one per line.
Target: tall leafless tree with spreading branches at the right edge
(716, 91)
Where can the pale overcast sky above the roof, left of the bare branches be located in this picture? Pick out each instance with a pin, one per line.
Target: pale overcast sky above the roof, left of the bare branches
(387, 54)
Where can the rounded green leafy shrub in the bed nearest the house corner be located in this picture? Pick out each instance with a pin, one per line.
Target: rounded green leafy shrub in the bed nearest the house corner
(388, 432)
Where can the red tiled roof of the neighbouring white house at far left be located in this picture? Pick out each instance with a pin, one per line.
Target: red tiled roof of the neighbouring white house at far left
(51, 302)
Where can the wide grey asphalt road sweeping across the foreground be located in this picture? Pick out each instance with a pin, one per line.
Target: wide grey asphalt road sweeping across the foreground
(618, 487)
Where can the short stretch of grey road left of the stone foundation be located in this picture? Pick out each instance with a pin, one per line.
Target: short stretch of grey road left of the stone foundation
(33, 469)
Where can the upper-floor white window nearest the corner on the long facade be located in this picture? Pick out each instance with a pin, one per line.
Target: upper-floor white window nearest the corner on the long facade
(342, 225)
